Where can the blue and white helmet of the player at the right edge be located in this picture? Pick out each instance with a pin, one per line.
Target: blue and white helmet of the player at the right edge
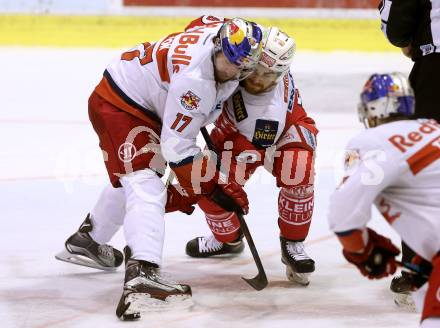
(384, 96)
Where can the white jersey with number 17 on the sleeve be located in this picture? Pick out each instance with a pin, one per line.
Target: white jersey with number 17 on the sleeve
(173, 82)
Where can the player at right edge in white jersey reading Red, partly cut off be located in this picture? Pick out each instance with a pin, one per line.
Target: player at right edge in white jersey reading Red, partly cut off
(395, 165)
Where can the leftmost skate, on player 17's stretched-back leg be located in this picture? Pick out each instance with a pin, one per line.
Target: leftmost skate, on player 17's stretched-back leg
(81, 249)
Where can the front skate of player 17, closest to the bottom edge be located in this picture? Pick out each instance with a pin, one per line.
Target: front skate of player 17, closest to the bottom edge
(145, 289)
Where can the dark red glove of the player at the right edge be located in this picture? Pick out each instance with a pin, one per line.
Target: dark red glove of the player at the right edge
(378, 257)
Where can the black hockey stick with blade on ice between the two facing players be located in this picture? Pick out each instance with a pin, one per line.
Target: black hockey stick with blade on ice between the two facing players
(259, 282)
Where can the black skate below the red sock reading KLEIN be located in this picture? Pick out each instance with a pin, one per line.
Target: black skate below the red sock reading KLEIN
(299, 265)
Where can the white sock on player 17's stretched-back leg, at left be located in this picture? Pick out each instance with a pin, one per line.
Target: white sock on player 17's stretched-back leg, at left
(108, 214)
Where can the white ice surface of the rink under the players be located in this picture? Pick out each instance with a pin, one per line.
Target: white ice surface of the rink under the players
(51, 174)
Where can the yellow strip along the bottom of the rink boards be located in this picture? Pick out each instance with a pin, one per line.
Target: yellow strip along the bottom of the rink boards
(318, 34)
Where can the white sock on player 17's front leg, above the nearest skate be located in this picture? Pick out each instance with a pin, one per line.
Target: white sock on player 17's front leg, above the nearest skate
(144, 224)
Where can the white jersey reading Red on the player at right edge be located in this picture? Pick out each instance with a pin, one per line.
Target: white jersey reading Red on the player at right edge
(396, 166)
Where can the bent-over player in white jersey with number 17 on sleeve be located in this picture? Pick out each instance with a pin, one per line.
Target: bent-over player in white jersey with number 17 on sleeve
(147, 111)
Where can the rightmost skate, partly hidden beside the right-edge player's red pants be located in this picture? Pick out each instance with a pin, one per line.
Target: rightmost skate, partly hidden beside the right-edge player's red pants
(401, 287)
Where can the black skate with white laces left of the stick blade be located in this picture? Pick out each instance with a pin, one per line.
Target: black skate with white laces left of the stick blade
(209, 246)
